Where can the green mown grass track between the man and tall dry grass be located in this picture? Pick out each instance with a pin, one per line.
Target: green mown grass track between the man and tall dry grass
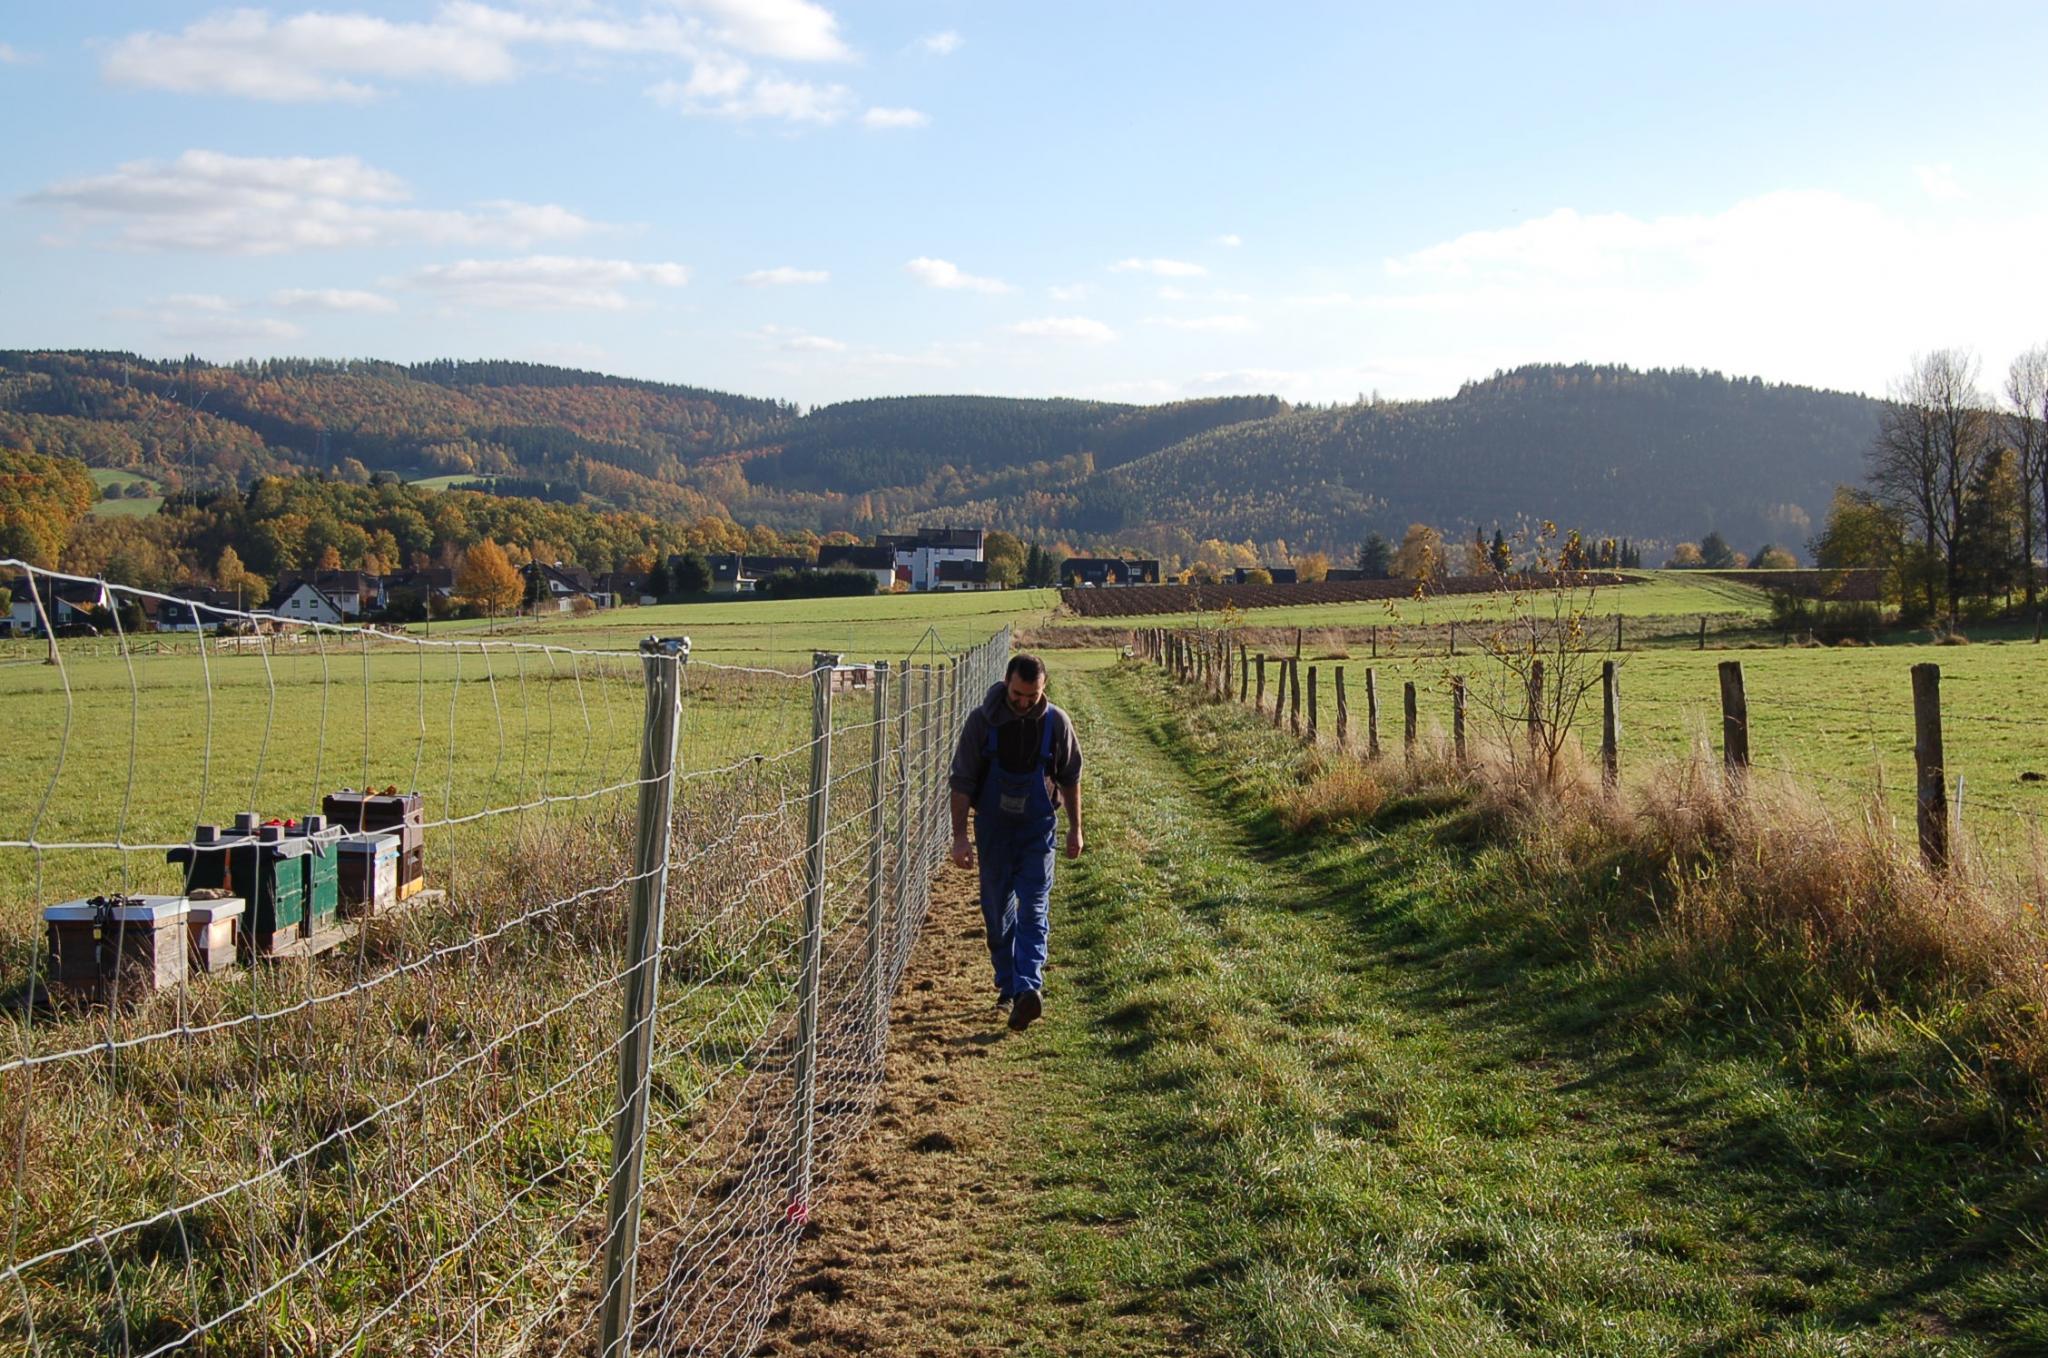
(1291, 1099)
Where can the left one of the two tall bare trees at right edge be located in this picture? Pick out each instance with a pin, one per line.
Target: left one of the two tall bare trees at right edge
(1932, 439)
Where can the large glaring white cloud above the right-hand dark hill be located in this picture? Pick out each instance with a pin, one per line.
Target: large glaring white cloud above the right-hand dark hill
(1799, 286)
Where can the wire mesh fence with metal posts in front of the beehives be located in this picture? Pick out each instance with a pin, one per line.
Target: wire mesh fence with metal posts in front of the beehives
(572, 1085)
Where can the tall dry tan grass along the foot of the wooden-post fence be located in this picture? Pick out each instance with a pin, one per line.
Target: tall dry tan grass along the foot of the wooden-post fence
(1752, 878)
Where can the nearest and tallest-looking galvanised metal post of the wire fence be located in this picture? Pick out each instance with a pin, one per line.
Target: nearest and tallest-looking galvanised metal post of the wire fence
(663, 663)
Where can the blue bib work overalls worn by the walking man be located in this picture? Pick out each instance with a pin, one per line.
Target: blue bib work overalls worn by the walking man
(1015, 843)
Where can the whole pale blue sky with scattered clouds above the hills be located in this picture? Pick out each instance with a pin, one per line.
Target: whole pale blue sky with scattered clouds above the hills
(1119, 200)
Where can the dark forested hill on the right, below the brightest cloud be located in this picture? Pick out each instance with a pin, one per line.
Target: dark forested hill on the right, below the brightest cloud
(1656, 456)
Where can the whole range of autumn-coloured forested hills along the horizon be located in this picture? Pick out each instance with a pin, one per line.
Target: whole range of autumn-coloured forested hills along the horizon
(1652, 456)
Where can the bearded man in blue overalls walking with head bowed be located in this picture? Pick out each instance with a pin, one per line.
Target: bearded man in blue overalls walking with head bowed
(1015, 757)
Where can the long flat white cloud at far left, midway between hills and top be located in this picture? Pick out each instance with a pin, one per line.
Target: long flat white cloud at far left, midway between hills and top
(269, 206)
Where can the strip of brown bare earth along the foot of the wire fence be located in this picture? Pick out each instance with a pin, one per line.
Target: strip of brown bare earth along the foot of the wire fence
(910, 1248)
